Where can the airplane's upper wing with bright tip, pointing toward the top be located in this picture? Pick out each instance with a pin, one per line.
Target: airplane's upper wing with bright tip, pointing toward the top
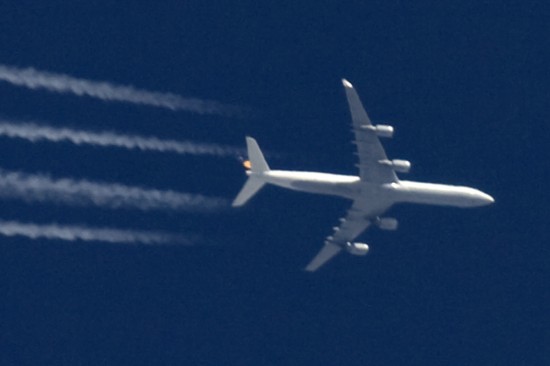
(369, 148)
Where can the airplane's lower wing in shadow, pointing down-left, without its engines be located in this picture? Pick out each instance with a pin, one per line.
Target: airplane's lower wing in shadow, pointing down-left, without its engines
(356, 221)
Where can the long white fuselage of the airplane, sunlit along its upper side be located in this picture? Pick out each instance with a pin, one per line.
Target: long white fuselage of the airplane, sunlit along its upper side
(384, 195)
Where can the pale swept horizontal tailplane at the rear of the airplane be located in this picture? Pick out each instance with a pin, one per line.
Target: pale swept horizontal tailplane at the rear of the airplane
(258, 165)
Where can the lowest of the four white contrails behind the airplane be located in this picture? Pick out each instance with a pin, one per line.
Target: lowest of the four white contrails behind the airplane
(84, 233)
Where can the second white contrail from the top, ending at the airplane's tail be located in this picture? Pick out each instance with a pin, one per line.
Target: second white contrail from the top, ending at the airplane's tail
(36, 132)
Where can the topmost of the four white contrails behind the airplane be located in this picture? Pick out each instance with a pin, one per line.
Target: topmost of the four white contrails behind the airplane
(60, 83)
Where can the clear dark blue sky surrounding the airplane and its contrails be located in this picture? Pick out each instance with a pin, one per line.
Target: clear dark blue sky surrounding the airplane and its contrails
(465, 83)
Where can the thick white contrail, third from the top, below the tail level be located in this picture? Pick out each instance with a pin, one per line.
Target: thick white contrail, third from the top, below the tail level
(42, 188)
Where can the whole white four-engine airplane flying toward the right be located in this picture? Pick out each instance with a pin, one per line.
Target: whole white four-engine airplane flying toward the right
(373, 192)
